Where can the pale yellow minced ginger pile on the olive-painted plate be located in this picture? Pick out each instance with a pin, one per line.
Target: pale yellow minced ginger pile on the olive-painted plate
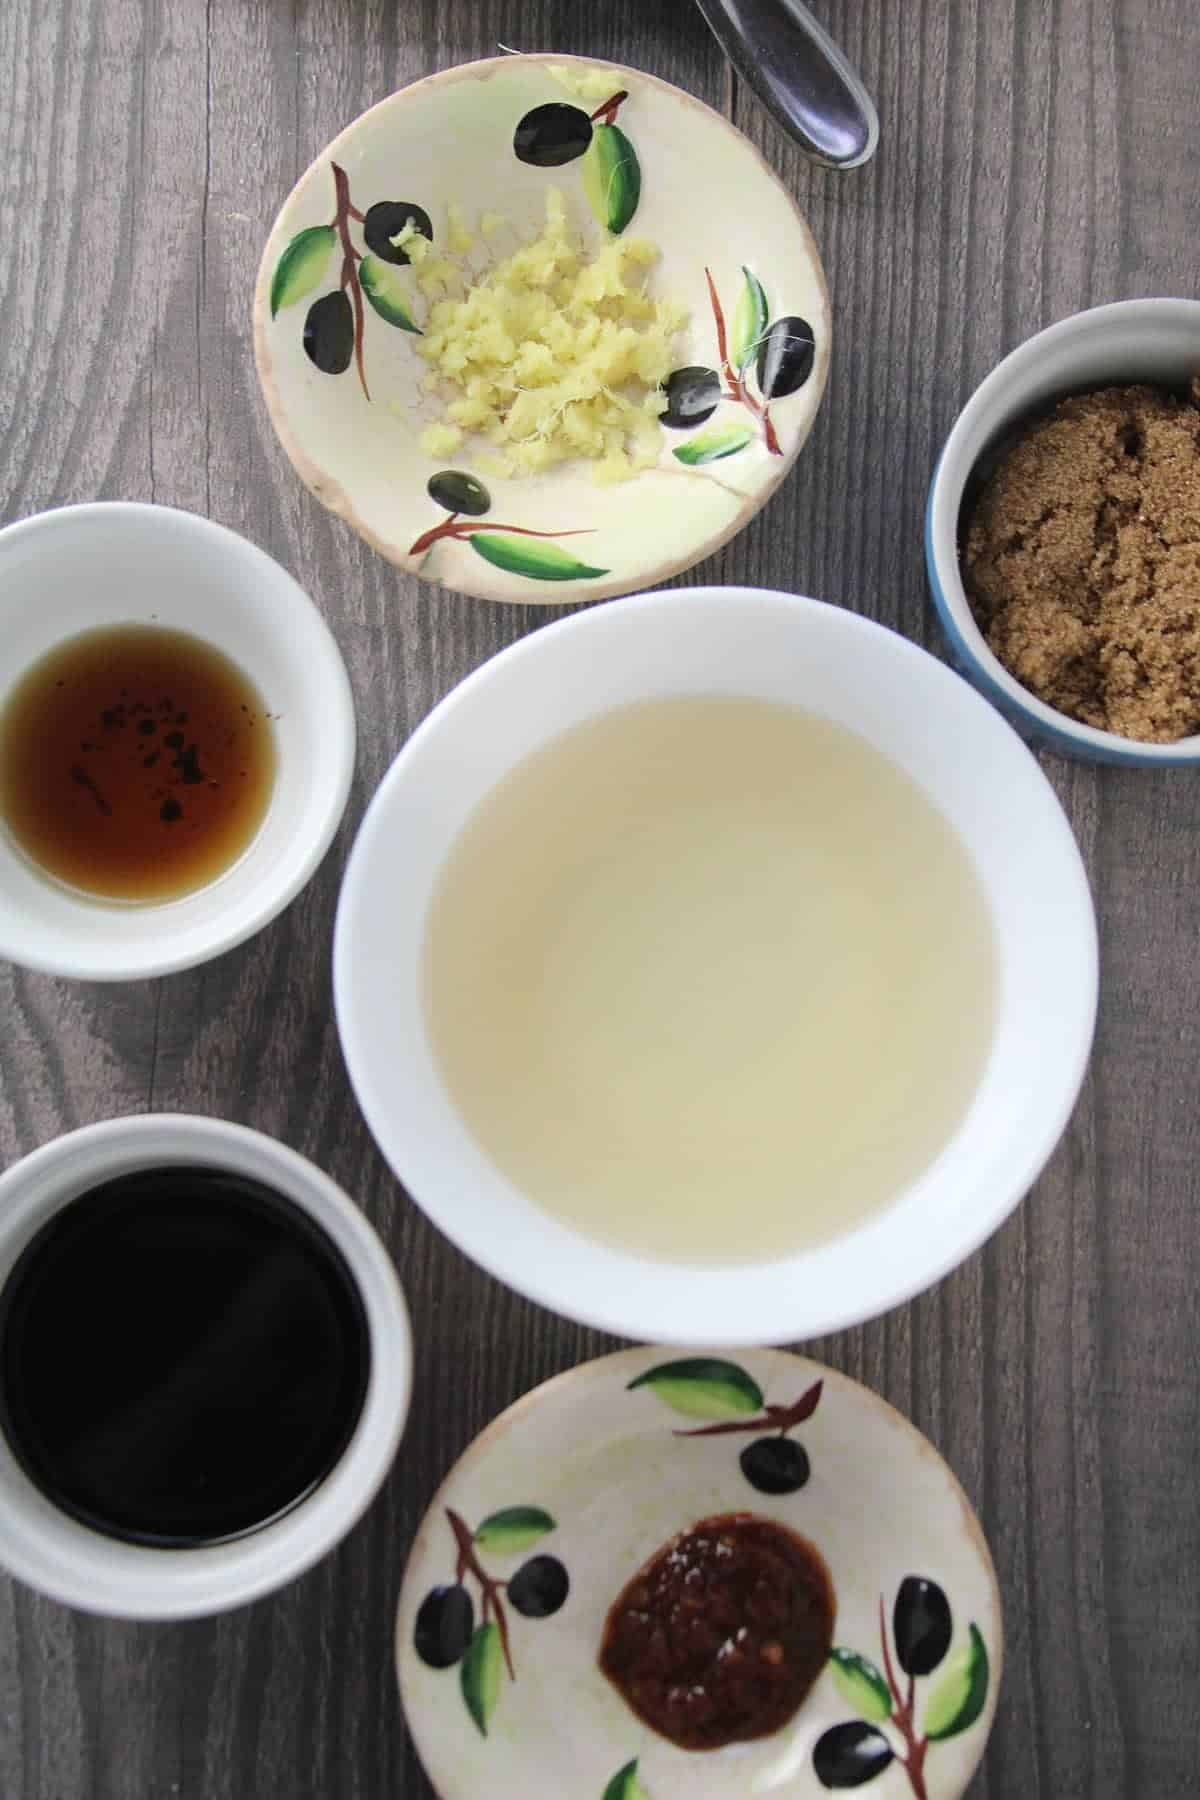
(553, 354)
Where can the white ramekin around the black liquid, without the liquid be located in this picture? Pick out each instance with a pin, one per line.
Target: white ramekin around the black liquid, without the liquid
(98, 1574)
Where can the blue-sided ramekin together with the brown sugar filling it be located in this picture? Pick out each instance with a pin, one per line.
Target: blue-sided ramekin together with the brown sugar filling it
(1064, 535)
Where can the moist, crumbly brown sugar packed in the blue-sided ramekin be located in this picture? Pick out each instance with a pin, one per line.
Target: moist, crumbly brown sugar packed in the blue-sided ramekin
(1082, 562)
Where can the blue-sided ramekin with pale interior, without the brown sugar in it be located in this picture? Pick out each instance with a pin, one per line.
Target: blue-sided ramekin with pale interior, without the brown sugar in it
(1131, 341)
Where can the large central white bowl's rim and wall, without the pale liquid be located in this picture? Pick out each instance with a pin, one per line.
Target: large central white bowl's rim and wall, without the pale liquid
(906, 705)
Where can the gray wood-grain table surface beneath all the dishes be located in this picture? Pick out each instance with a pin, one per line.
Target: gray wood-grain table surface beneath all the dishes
(1037, 156)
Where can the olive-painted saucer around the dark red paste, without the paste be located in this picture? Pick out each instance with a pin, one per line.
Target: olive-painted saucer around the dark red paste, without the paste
(595, 1471)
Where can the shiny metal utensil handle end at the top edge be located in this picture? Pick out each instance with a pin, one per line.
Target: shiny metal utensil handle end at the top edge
(800, 75)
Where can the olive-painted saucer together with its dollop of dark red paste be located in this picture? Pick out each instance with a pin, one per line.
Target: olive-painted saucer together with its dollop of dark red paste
(677, 1574)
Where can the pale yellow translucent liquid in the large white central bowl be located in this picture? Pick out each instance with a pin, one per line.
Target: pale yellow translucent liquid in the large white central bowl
(710, 978)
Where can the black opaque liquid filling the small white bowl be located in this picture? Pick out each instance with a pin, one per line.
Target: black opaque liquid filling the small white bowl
(184, 1356)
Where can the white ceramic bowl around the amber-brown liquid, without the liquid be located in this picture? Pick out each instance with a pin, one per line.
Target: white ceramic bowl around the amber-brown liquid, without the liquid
(125, 564)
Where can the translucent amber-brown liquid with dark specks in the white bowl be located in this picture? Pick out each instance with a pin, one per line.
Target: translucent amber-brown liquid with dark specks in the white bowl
(136, 762)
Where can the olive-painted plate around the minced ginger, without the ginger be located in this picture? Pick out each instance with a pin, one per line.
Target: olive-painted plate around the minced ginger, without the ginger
(420, 201)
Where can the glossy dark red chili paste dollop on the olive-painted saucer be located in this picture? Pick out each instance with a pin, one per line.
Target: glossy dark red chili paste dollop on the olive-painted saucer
(722, 1633)
